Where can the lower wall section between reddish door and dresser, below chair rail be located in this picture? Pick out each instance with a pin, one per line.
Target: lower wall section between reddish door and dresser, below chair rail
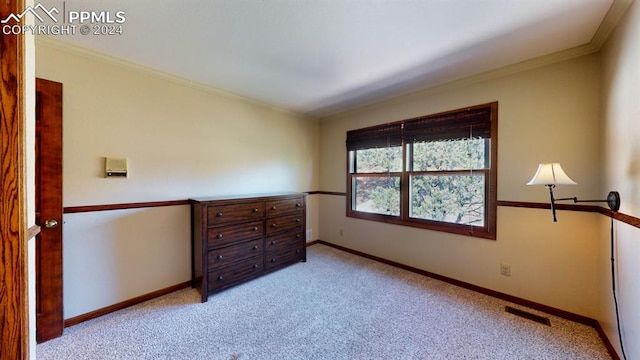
(117, 255)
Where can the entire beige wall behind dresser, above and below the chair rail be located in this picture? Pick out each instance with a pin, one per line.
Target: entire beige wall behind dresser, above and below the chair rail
(181, 141)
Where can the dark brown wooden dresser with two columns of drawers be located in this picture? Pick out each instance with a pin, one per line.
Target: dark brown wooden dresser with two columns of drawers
(236, 239)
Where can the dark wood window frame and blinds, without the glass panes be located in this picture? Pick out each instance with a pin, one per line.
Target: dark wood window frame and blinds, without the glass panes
(388, 135)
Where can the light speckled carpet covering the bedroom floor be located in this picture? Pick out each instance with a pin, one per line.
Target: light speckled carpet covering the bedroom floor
(335, 306)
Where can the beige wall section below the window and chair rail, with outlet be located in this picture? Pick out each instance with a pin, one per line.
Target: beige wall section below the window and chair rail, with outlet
(550, 264)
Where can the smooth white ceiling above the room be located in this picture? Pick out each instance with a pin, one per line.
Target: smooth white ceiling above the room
(321, 57)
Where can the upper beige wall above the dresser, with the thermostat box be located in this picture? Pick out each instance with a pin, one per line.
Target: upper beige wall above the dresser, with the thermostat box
(180, 141)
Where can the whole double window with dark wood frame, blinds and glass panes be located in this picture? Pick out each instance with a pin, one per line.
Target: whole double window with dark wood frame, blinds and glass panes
(436, 172)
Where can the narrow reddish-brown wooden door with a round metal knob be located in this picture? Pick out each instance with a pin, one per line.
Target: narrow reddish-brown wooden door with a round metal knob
(49, 306)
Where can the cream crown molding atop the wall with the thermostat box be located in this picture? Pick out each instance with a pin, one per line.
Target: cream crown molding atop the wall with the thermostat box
(51, 42)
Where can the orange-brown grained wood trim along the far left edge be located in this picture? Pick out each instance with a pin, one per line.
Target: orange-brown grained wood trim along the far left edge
(14, 304)
